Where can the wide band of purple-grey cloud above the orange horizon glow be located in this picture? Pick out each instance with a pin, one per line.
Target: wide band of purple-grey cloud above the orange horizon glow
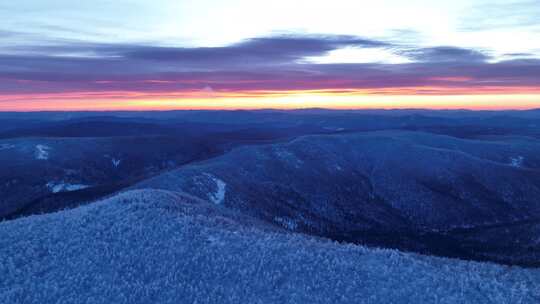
(254, 65)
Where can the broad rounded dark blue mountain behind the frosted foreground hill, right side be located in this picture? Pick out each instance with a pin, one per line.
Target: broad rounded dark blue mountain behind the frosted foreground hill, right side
(409, 190)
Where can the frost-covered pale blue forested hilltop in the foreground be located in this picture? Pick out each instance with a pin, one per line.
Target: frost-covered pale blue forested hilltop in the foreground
(152, 246)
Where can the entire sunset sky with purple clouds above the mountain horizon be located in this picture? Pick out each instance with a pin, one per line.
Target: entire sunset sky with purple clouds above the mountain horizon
(215, 54)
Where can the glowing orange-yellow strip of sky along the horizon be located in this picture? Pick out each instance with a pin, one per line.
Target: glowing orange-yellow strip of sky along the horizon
(492, 98)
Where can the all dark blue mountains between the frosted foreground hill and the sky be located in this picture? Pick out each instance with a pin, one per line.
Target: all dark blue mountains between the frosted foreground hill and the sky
(451, 183)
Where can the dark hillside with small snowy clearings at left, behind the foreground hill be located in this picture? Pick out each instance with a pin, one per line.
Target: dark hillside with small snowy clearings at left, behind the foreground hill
(37, 172)
